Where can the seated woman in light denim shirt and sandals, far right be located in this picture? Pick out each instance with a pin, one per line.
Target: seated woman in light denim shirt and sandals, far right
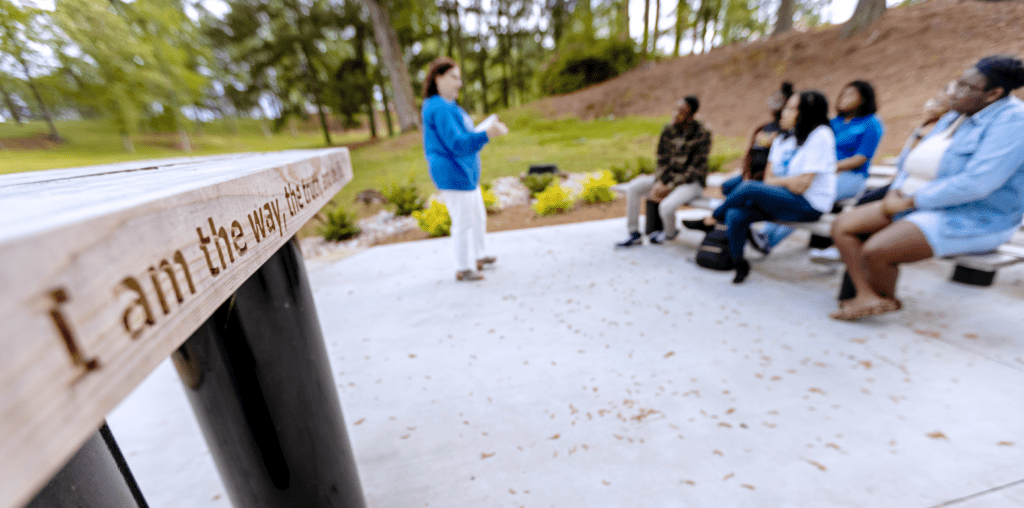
(974, 203)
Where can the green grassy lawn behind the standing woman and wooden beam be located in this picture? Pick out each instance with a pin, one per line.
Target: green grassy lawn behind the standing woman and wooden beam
(573, 145)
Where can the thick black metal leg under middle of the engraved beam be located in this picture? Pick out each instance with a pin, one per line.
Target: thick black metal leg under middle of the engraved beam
(260, 382)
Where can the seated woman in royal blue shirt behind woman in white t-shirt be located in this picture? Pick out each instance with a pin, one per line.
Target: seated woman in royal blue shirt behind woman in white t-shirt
(859, 133)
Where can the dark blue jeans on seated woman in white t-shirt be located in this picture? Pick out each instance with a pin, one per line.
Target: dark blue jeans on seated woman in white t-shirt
(753, 202)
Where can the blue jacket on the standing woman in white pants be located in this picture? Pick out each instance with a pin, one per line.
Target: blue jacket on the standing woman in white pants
(452, 148)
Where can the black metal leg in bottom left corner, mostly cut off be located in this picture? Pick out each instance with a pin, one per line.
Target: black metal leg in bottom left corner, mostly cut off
(97, 477)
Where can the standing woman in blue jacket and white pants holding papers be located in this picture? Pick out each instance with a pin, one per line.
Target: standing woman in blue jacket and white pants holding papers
(453, 152)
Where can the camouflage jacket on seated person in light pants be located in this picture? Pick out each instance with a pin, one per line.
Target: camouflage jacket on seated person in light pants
(682, 154)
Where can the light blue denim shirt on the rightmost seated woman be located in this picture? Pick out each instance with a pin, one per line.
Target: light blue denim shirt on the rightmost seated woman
(980, 182)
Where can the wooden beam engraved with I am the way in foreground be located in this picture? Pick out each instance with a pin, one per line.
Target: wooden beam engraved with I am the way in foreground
(107, 271)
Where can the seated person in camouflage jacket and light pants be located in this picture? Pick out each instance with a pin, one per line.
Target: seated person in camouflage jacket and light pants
(680, 178)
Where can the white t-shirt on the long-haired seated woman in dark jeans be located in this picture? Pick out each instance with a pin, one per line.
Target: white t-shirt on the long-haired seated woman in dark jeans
(818, 155)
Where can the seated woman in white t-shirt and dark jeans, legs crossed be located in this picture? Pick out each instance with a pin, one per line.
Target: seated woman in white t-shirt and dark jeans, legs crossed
(807, 159)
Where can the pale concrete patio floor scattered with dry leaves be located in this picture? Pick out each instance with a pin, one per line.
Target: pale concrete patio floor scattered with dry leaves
(577, 375)
